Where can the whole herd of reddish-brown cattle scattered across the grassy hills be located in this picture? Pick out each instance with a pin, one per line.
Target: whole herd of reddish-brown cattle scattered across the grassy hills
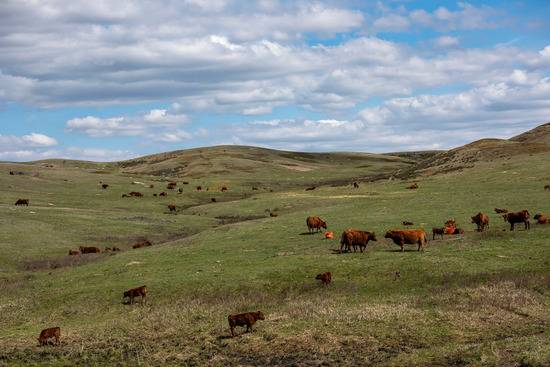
(350, 240)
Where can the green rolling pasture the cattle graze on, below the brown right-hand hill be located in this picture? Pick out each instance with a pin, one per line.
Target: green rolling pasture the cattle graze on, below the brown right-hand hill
(481, 299)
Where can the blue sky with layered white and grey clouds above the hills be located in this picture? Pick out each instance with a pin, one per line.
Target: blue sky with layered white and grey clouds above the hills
(110, 80)
